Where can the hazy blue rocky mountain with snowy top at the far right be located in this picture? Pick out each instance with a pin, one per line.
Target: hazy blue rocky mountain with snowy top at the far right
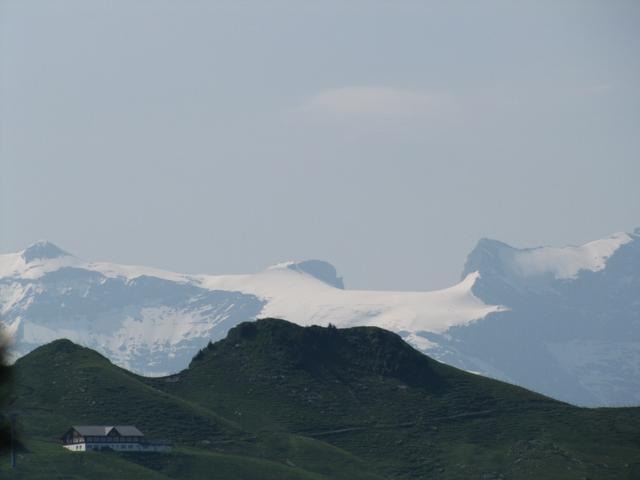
(572, 328)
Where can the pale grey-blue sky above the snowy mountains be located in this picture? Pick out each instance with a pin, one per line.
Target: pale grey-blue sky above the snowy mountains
(386, 137)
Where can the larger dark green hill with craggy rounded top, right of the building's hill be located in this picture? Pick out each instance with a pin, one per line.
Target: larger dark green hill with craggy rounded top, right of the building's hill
(365, 391)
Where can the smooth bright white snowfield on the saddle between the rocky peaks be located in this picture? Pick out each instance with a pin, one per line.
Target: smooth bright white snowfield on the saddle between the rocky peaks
(303, 299)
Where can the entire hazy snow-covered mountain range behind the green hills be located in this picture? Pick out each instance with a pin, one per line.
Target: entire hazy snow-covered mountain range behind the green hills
(561, 321)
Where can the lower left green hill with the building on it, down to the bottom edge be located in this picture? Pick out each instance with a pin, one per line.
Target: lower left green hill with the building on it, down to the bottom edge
(62, 384)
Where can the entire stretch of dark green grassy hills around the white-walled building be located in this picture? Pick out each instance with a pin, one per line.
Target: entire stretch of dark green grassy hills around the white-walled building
(275, 400)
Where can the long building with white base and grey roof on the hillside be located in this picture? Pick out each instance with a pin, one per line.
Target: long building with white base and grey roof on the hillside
(122, 438)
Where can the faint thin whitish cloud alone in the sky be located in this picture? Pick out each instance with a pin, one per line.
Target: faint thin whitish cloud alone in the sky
(376, 101)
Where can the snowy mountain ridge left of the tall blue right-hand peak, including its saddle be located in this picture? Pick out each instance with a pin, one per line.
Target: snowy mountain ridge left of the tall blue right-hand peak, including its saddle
(153, 322)
